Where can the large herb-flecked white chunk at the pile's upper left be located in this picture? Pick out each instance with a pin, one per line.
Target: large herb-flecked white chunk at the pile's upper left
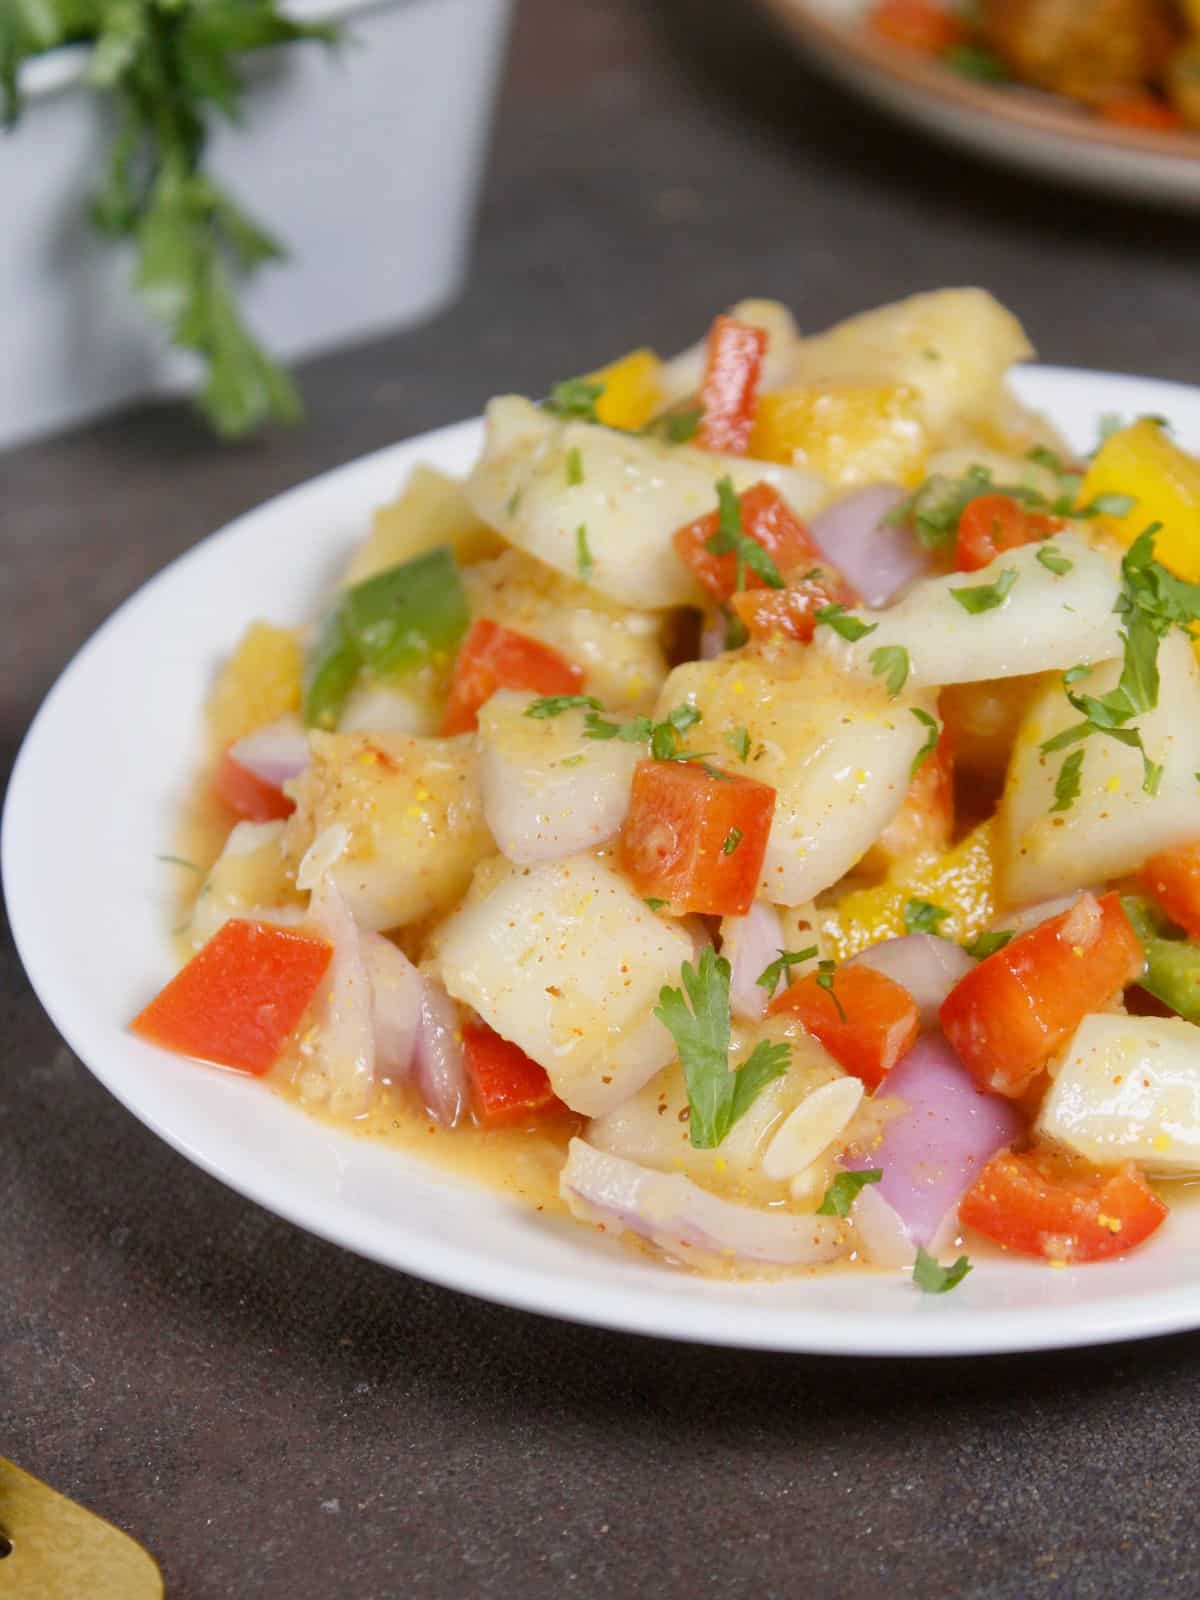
(628, 494)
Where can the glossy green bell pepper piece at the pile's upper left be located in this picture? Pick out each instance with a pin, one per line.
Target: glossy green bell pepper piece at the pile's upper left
(409, 615)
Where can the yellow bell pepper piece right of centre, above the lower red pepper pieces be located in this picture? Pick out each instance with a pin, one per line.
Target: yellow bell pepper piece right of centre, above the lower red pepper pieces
(961, 882)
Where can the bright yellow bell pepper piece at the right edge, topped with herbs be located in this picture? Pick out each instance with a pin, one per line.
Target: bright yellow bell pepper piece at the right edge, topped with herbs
(1164, 481)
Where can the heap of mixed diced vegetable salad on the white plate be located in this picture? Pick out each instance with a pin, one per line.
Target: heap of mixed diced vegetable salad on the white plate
(756, 814)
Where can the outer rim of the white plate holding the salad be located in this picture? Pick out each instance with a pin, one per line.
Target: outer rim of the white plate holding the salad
(474, 1271)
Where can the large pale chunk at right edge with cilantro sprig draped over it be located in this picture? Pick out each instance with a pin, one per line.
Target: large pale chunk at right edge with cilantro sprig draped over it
(1114, 825)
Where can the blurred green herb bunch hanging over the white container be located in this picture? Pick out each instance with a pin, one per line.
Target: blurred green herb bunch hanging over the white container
(170, 66)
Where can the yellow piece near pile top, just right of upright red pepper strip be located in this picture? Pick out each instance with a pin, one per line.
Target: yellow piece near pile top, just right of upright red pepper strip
(847, 434)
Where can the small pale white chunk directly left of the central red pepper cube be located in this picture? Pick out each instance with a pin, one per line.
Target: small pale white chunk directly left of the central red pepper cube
(548, 790)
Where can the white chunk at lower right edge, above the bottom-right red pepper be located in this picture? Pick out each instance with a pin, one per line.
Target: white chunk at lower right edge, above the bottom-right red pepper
(1129, 1090)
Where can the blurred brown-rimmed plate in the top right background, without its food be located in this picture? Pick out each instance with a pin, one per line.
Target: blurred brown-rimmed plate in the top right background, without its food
(1041, 134)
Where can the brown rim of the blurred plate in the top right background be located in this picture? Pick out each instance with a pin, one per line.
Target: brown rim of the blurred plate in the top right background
(1031, 111)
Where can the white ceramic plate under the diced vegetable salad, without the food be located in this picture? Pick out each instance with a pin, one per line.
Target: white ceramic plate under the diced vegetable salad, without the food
(127, 713)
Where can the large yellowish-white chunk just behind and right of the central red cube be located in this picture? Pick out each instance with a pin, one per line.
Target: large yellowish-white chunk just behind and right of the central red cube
(836, 751)
